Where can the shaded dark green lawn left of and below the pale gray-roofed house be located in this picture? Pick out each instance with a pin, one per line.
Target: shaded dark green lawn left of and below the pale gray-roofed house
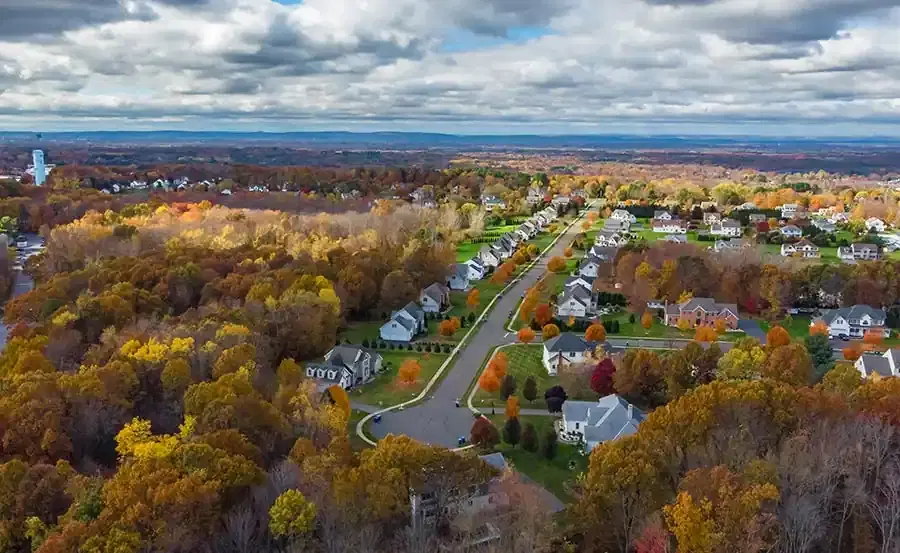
(552, 474)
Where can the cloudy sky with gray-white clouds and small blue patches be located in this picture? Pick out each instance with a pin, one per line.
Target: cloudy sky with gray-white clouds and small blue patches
(800, 67)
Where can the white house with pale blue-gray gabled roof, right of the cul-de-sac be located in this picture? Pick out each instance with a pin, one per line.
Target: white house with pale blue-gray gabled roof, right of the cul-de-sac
(595, 423)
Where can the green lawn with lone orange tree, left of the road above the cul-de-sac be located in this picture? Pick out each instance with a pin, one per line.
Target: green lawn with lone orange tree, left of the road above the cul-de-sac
(385, 390)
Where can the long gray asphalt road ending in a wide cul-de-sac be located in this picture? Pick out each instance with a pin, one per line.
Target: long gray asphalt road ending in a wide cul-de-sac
(437, 421)
